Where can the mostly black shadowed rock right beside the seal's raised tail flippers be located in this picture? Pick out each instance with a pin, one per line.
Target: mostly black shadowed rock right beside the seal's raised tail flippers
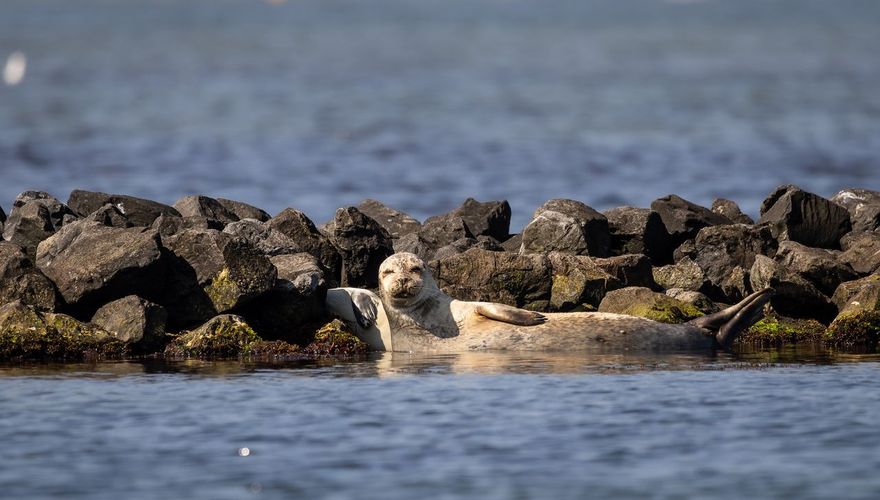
(795, 296)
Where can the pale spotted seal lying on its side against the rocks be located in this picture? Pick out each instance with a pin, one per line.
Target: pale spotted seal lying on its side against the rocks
(412, 314)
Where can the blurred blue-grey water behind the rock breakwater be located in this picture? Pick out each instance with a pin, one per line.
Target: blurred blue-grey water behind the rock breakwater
(318, 104)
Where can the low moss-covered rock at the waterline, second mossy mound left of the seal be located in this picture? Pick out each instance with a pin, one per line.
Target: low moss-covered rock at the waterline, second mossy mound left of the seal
(223, 336)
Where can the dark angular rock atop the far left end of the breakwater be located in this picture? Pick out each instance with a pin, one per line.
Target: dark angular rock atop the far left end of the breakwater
(35, 216)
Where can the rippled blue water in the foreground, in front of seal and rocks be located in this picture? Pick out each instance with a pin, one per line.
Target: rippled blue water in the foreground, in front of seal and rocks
(464, 426)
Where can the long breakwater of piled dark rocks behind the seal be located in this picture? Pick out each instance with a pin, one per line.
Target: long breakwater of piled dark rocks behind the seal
(107, 275)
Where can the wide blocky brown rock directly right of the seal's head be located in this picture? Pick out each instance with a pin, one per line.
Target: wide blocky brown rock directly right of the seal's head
(483, 275)
